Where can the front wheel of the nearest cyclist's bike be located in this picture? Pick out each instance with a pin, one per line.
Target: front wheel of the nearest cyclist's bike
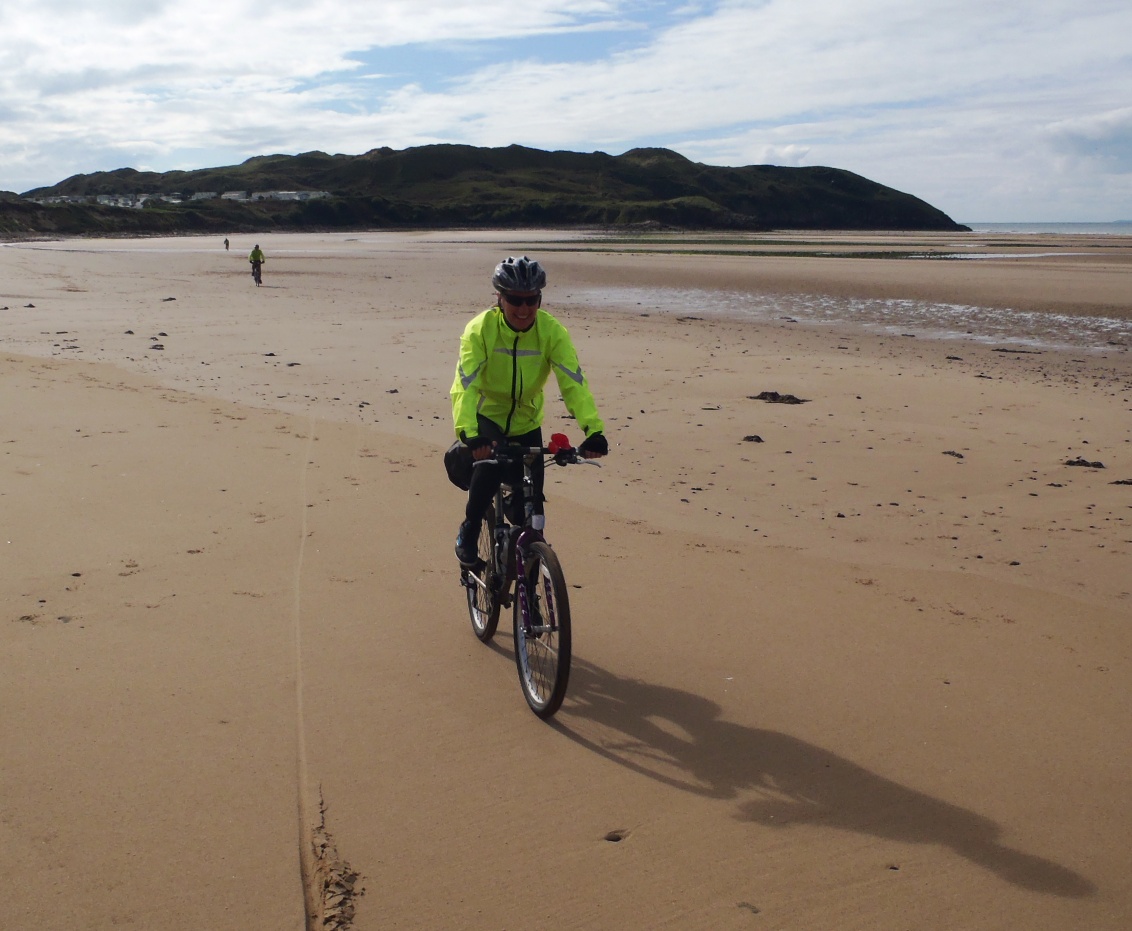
(543, 636)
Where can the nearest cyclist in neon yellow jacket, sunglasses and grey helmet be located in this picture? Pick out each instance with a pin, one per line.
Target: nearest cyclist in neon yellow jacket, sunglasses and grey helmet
(507, 356)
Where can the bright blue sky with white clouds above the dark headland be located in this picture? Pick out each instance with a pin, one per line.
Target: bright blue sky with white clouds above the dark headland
(1018, 113)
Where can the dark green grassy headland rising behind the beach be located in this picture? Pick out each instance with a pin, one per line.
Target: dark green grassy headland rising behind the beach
(466, 186)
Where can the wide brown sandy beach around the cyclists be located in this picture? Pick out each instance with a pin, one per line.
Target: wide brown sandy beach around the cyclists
(862, 662)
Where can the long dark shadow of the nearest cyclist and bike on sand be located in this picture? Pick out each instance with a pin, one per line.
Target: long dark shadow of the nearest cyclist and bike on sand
(679, 739)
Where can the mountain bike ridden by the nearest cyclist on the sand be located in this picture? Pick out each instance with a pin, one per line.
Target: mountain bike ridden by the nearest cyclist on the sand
(514, 552)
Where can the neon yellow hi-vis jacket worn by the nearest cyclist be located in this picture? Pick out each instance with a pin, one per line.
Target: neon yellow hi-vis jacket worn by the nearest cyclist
(502, 373)
